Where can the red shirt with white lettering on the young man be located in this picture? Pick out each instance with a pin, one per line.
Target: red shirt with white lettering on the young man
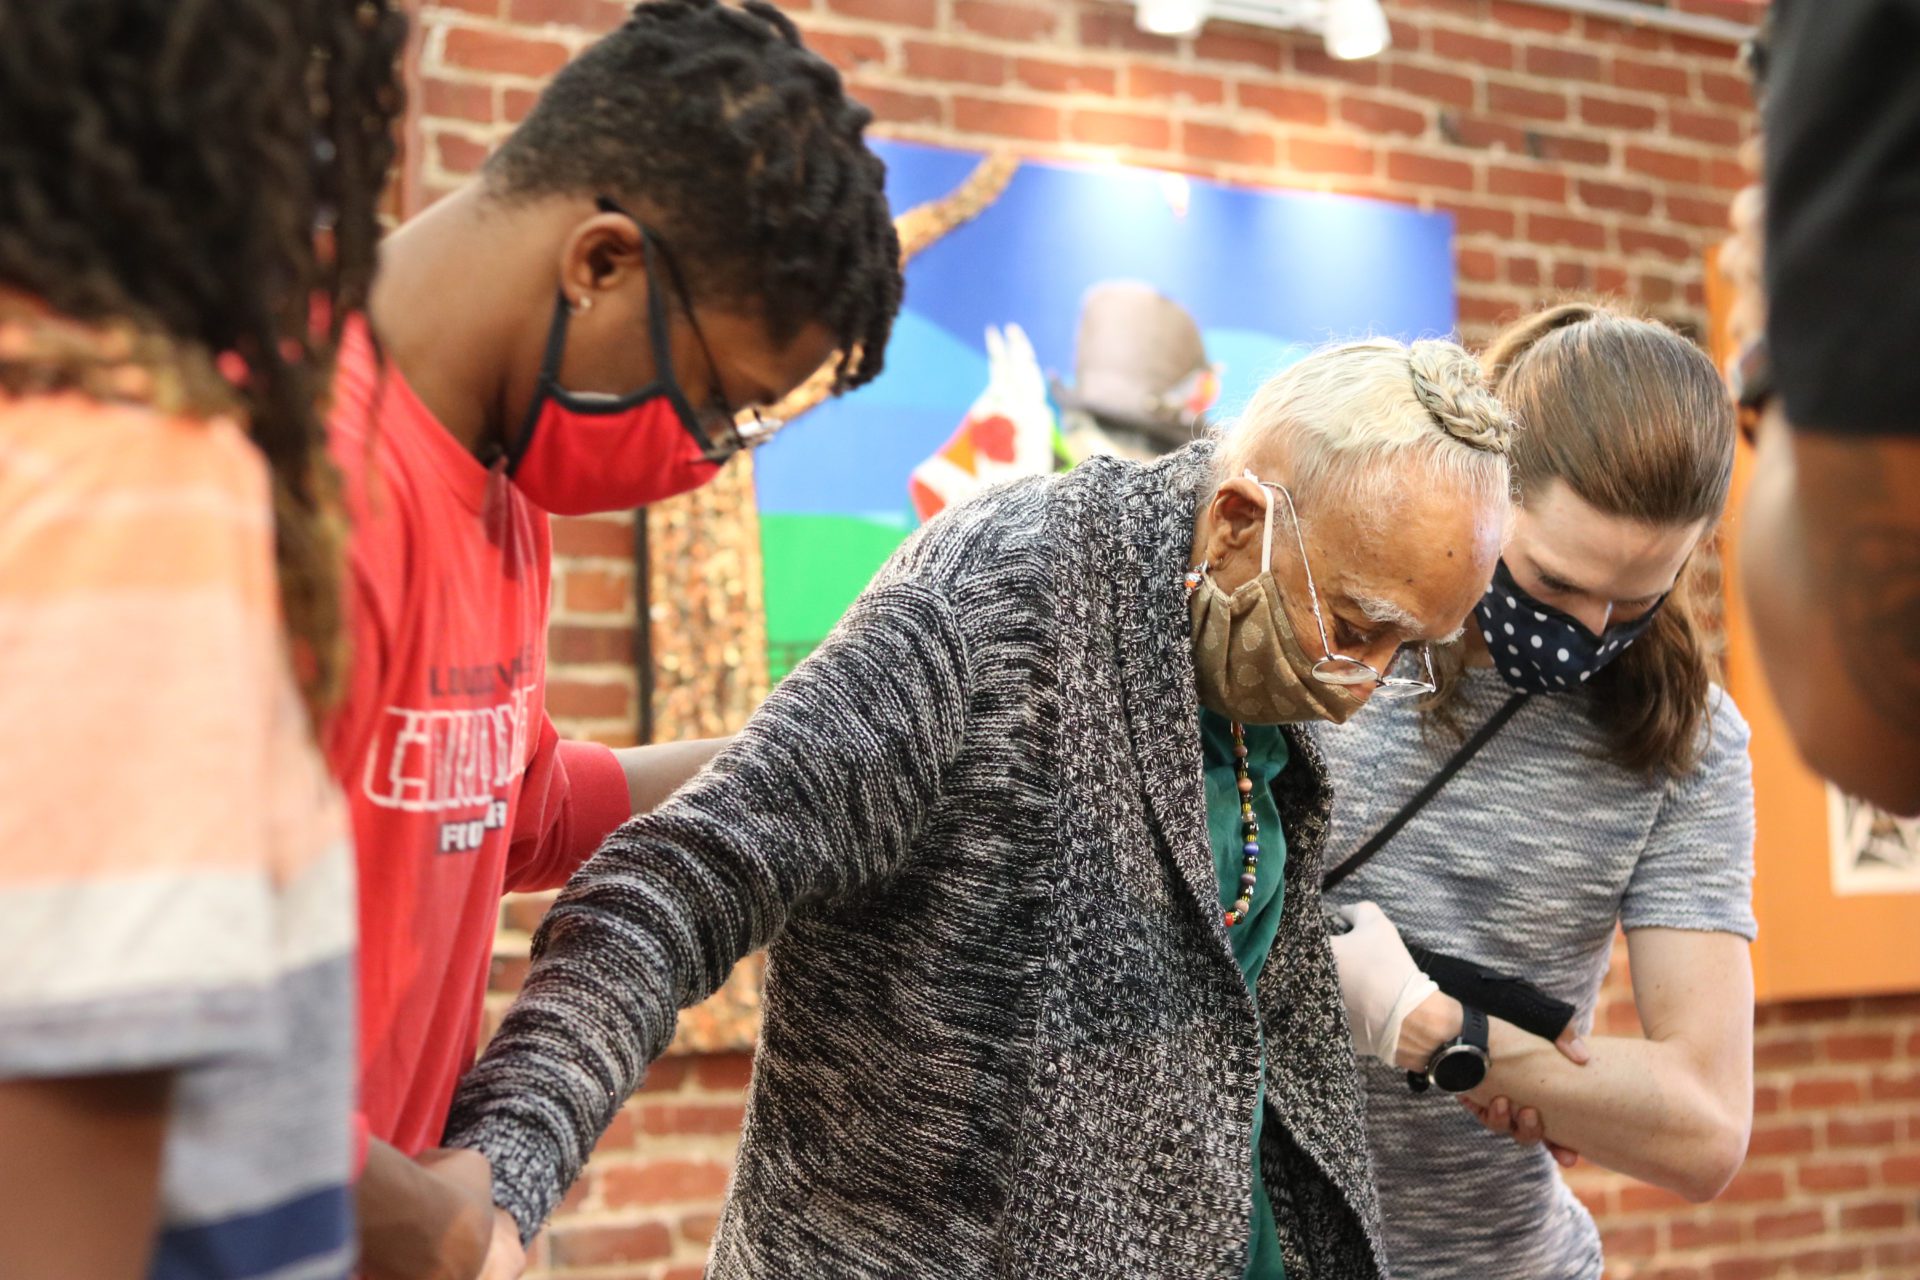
(458, 784)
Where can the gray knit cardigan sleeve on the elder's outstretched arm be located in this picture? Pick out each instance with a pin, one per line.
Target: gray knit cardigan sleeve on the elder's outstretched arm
(819, 797)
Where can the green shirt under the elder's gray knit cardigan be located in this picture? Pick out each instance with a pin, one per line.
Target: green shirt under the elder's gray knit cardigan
(1253, 937)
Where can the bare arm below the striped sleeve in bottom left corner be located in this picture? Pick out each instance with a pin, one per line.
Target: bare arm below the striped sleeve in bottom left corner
(87, 1200)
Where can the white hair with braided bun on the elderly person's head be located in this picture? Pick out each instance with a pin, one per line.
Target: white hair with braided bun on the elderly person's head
(1345, 415)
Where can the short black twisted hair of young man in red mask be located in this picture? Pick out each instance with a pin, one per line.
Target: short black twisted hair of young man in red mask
(746, 151)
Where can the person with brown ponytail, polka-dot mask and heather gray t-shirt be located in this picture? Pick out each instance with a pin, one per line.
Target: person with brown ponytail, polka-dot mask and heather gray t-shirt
(1595, 778)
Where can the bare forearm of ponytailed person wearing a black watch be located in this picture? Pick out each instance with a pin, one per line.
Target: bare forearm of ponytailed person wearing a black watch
(1643, 1108)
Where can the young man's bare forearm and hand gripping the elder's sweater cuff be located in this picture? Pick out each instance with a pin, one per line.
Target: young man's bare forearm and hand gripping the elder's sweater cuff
(414, 1225)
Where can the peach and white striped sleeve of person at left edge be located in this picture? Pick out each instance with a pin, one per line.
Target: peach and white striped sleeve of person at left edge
(141, 661)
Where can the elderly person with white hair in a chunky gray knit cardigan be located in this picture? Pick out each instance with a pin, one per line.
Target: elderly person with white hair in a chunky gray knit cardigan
(1036, 849)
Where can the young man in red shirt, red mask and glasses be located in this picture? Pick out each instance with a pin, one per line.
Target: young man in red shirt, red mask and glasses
(686, 225)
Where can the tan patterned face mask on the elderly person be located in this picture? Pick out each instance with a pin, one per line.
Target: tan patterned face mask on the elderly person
(1249, 663)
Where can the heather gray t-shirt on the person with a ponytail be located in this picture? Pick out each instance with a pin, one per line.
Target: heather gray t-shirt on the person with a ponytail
(1524, 865)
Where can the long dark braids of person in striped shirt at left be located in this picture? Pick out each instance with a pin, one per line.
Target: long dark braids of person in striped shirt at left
(203, 181)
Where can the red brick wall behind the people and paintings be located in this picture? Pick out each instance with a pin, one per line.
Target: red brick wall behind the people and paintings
(1575, 154)
